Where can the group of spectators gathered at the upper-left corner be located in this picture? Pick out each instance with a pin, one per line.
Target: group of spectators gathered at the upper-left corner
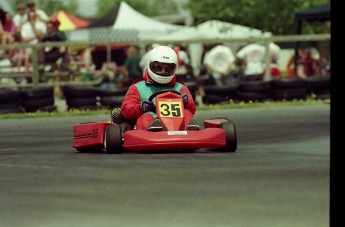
(29, 25)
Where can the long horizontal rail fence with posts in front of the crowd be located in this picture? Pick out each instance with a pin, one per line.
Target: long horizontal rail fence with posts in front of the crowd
(35, 47)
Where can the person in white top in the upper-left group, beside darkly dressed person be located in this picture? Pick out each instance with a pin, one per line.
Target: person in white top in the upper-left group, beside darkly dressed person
(32, 31)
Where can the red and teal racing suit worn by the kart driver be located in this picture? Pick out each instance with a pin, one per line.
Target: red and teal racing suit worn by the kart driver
(142, 89)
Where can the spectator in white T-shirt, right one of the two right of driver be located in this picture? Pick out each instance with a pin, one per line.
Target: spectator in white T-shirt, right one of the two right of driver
(252, 58)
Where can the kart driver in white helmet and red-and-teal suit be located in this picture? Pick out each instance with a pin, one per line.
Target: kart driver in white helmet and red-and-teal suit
(159, 75)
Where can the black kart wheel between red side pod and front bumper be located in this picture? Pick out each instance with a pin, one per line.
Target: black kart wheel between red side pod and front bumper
(113, 139)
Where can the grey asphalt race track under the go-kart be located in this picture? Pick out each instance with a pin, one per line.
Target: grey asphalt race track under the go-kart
(279, 176)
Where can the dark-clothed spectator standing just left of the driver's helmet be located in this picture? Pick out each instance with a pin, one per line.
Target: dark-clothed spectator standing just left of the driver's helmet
(132, 69)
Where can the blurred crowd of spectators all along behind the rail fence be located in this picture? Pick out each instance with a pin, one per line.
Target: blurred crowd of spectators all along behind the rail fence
(221, 64)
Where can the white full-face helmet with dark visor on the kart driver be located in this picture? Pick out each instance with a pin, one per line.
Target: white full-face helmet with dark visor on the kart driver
(162, 64)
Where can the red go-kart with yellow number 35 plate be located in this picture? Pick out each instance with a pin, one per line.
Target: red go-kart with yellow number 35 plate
(111, 137)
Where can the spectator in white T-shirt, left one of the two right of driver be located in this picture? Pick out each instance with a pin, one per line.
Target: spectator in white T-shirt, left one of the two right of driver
(219, 62)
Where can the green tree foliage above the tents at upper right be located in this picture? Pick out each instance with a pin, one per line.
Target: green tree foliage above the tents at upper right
(276, 16)
